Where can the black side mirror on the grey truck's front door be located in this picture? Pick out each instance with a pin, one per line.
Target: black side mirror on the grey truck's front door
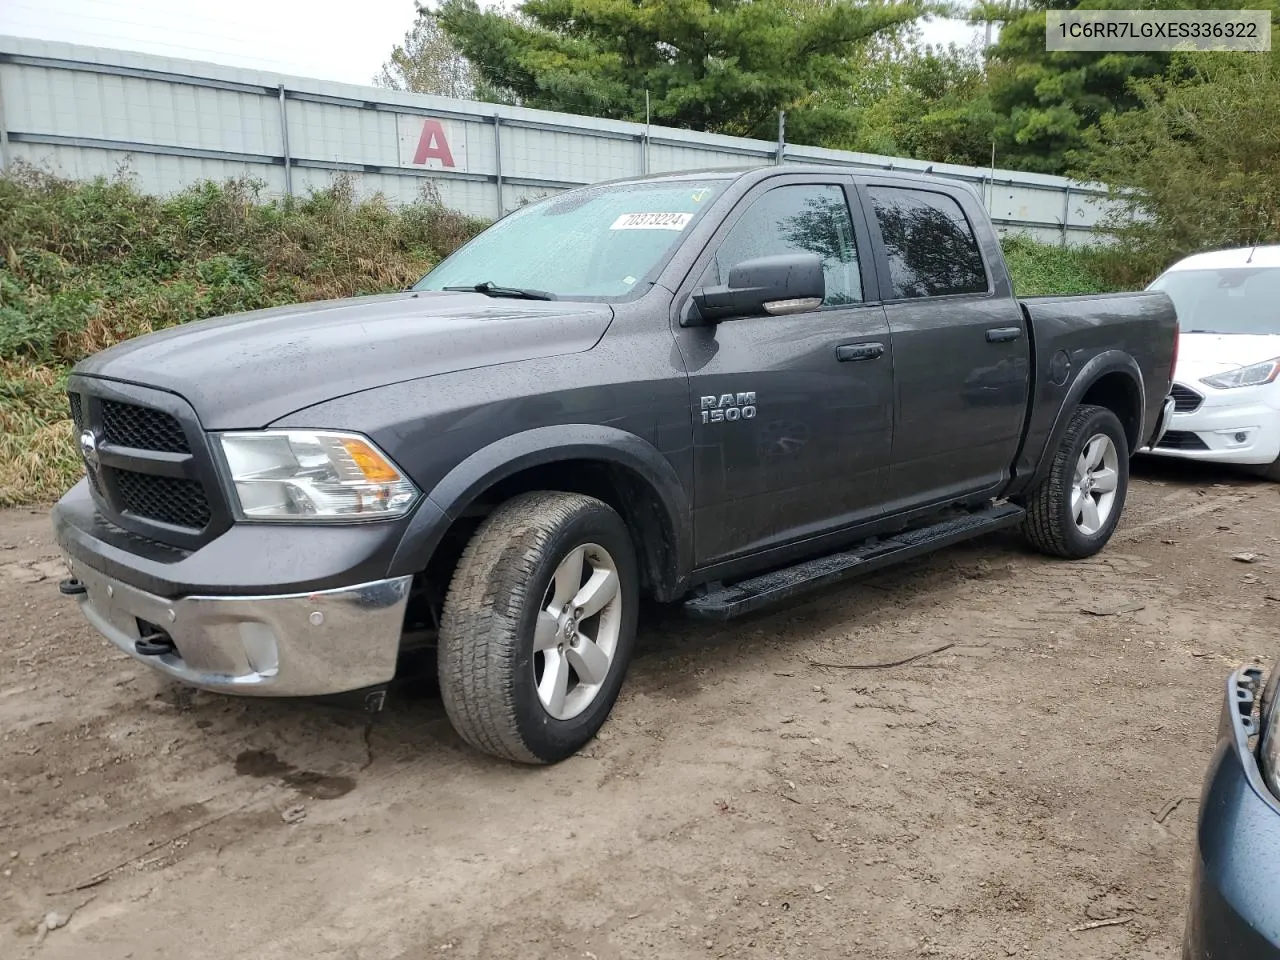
(790, 284)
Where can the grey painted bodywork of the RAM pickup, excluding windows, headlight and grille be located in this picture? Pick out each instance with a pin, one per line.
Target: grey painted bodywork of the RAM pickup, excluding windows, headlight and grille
(467, 392)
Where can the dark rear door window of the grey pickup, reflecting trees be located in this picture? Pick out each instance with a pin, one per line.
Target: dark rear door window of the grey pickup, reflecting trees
(931, 248)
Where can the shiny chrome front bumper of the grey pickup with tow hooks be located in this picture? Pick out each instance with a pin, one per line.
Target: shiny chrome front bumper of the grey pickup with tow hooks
(313, 644)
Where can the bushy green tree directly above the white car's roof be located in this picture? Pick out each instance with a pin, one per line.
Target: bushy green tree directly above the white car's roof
(1195, 168)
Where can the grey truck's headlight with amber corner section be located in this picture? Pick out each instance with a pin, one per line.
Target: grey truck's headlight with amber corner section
(314, 476)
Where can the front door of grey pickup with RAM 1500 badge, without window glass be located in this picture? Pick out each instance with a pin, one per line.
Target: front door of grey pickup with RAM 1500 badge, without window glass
(815, 454)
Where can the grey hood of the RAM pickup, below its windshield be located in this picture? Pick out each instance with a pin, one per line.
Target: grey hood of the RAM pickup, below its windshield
(244, 372)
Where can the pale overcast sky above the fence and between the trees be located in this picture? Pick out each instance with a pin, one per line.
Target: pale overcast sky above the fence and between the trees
(336, 40)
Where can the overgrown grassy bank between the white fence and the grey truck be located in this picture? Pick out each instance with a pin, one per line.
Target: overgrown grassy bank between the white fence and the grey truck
(86, 266)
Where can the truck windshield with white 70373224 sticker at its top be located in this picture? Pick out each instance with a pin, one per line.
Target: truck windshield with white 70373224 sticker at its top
(595, 243)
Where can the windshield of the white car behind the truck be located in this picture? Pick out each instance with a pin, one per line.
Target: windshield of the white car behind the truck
(1233, 300)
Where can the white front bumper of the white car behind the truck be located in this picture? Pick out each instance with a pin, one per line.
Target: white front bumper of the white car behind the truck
(1236, 433)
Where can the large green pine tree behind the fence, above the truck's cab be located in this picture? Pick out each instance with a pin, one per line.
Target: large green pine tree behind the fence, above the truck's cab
(720, 66)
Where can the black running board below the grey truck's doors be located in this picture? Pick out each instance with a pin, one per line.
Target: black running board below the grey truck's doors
(735, 600)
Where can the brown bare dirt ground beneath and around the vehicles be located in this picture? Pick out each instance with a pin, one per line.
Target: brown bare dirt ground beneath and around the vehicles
(988, 801)
